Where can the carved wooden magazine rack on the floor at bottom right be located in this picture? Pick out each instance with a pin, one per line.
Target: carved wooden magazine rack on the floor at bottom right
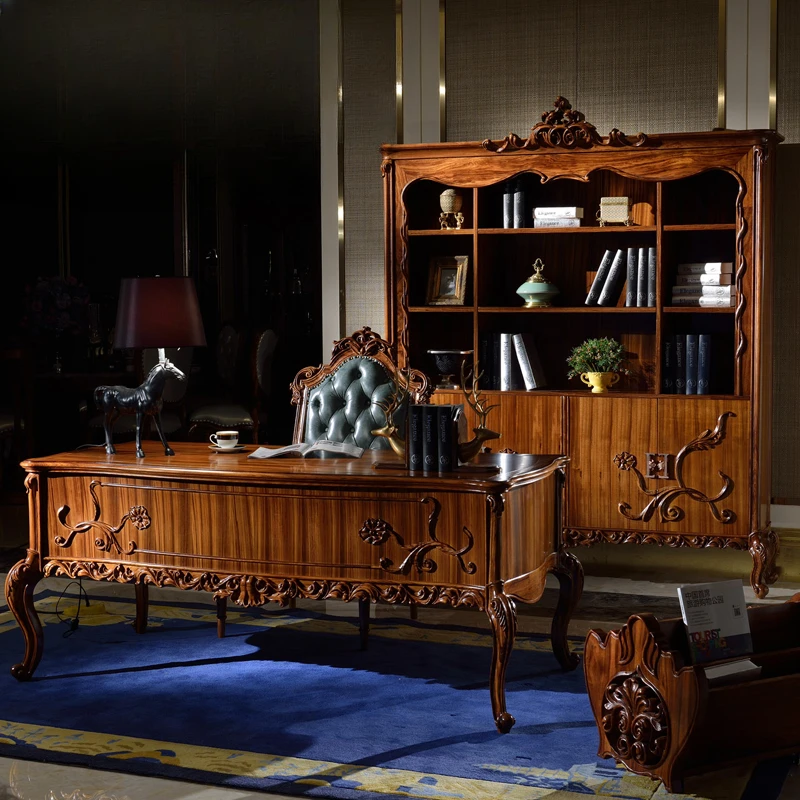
(660, 716)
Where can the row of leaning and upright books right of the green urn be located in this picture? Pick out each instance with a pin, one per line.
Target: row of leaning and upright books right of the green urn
(634, 269)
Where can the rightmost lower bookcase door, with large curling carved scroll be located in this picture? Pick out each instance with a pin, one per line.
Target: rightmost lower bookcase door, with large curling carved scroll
(708, 441)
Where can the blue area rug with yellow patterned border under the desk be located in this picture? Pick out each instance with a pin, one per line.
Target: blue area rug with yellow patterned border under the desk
(287, 703)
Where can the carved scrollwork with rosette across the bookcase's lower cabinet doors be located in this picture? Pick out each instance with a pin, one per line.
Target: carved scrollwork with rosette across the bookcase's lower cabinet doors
(662, 499)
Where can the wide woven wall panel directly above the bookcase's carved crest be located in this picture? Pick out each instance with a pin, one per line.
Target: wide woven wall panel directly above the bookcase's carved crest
(648, 66)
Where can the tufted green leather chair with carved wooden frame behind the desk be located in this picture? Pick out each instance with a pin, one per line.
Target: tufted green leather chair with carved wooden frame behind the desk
(340, 400)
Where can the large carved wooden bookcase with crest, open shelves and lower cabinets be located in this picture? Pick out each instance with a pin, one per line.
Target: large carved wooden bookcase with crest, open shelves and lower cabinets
(646, 467)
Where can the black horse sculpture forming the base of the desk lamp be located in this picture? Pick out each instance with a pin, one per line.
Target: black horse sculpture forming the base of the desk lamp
(144, 400)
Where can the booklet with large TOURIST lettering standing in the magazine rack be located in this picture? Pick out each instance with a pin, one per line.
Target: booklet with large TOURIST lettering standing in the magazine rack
(716, 620)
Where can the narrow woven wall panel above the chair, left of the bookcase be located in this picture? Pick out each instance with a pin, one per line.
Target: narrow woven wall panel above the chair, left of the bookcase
(368, 86)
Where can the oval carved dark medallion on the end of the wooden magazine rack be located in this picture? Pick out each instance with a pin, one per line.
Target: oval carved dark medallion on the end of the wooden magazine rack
(635, 720)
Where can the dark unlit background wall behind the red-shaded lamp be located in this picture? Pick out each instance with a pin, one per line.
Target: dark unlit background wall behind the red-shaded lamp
(164, 137)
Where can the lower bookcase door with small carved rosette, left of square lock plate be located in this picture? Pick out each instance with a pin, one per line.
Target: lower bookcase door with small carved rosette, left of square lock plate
(605, 432)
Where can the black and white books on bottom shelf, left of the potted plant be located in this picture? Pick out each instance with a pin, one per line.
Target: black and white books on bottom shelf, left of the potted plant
(510, 361)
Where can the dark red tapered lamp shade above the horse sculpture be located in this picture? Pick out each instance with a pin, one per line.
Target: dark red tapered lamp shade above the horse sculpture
(158, 312)
